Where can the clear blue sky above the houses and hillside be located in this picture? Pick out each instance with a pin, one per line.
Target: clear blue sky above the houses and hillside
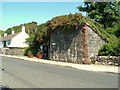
(16, 13)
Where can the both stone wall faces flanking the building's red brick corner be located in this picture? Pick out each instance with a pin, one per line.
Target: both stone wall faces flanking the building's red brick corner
(68, 46)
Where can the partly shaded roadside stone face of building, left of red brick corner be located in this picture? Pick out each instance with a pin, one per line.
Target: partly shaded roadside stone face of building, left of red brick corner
(66, 45)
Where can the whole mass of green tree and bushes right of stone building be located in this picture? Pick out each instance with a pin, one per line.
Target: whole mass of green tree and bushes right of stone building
(106, 13)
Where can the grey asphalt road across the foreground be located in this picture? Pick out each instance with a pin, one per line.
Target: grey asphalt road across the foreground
(25, 74)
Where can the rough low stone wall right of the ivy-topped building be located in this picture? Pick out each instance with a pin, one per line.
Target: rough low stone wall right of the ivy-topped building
(106, 60)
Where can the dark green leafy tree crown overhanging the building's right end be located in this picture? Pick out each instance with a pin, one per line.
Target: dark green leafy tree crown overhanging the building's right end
(106, 13)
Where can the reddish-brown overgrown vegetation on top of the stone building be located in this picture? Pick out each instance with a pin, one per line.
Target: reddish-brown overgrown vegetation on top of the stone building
(67, 22)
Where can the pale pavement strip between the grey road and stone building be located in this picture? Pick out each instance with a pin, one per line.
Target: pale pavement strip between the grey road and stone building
(91, 67)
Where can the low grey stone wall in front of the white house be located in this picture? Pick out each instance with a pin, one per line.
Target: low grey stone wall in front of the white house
(18, 52)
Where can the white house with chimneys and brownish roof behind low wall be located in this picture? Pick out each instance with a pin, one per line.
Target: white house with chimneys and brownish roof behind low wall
(15, 40)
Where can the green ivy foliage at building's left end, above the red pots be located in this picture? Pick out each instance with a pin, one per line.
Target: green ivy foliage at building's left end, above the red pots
(39, 37)
